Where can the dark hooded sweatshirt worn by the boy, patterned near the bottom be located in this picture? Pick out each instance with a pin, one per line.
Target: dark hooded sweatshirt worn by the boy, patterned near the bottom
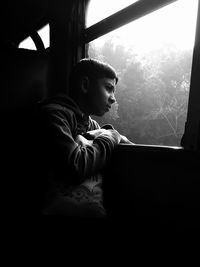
(74, 168)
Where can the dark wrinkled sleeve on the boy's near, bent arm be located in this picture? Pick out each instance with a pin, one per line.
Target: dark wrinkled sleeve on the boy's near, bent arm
(67, 154)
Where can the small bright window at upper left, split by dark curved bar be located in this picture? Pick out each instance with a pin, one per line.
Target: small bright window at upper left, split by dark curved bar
(44, 35)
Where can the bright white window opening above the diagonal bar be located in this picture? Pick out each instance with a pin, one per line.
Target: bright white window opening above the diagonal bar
(99, 10)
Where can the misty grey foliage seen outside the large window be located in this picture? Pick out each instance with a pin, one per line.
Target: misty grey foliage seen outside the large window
(152, 92)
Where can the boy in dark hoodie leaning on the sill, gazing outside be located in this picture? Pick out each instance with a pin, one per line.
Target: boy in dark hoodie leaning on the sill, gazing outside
(75, 147)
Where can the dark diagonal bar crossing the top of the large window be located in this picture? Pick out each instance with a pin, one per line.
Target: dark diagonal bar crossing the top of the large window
(122, 17)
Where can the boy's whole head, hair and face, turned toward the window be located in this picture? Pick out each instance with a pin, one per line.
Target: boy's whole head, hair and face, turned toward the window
(92, 85)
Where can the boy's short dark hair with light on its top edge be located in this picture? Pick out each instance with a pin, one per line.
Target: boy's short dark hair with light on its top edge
(92, 68)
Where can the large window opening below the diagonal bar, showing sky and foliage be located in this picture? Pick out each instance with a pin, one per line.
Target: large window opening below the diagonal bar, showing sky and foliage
(153, 57)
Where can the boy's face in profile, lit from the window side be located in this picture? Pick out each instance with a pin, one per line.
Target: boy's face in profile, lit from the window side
(101, 96)
